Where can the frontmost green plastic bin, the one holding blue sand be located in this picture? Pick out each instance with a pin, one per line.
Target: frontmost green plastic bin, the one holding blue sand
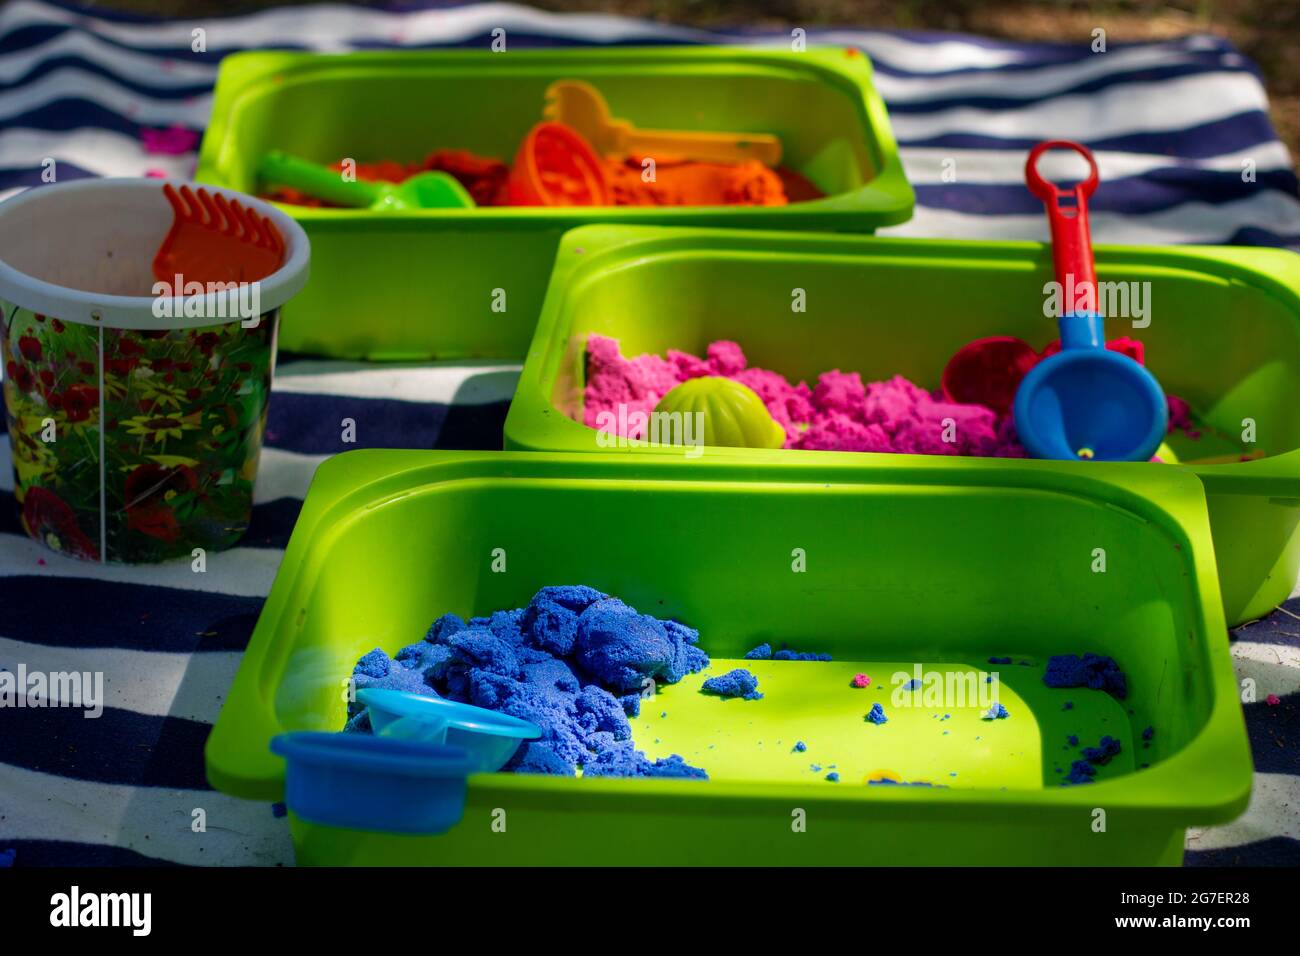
(908, 564)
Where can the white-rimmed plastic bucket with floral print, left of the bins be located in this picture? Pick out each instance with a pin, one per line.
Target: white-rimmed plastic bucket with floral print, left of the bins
(136, 419)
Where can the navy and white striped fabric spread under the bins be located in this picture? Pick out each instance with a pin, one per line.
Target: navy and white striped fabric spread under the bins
(1172, 123)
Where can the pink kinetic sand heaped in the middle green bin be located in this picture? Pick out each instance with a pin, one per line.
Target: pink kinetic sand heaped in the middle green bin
(840, 414)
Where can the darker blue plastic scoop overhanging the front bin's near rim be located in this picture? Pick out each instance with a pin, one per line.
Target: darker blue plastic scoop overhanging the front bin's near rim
(365, 782)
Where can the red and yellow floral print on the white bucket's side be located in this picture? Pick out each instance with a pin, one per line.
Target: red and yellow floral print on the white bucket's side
(184, 413)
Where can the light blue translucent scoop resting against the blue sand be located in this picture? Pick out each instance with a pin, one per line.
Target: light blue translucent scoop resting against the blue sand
(489, 738)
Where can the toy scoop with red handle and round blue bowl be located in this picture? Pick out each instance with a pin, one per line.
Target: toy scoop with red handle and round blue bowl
(1085, 403)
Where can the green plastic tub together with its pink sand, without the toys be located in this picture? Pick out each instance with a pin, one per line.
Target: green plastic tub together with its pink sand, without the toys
(847, 340)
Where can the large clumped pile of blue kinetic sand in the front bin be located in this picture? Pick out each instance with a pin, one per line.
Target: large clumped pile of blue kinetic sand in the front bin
(574, 664)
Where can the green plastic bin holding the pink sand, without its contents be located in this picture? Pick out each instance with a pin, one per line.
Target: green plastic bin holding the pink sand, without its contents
(1224, 334)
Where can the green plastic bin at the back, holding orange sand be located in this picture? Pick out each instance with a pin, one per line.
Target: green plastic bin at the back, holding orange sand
(424, 284)
